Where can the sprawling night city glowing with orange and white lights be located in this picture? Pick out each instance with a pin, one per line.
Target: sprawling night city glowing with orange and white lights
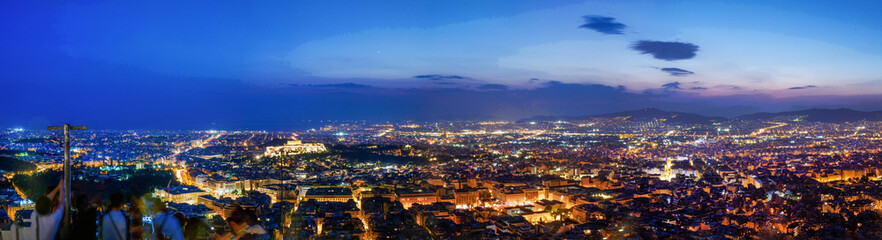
(601, 177)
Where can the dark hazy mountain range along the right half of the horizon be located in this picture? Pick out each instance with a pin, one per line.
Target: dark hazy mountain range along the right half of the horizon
(649, 114)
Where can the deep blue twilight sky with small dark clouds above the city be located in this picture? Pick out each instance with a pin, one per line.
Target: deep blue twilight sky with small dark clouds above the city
(270, 65)
